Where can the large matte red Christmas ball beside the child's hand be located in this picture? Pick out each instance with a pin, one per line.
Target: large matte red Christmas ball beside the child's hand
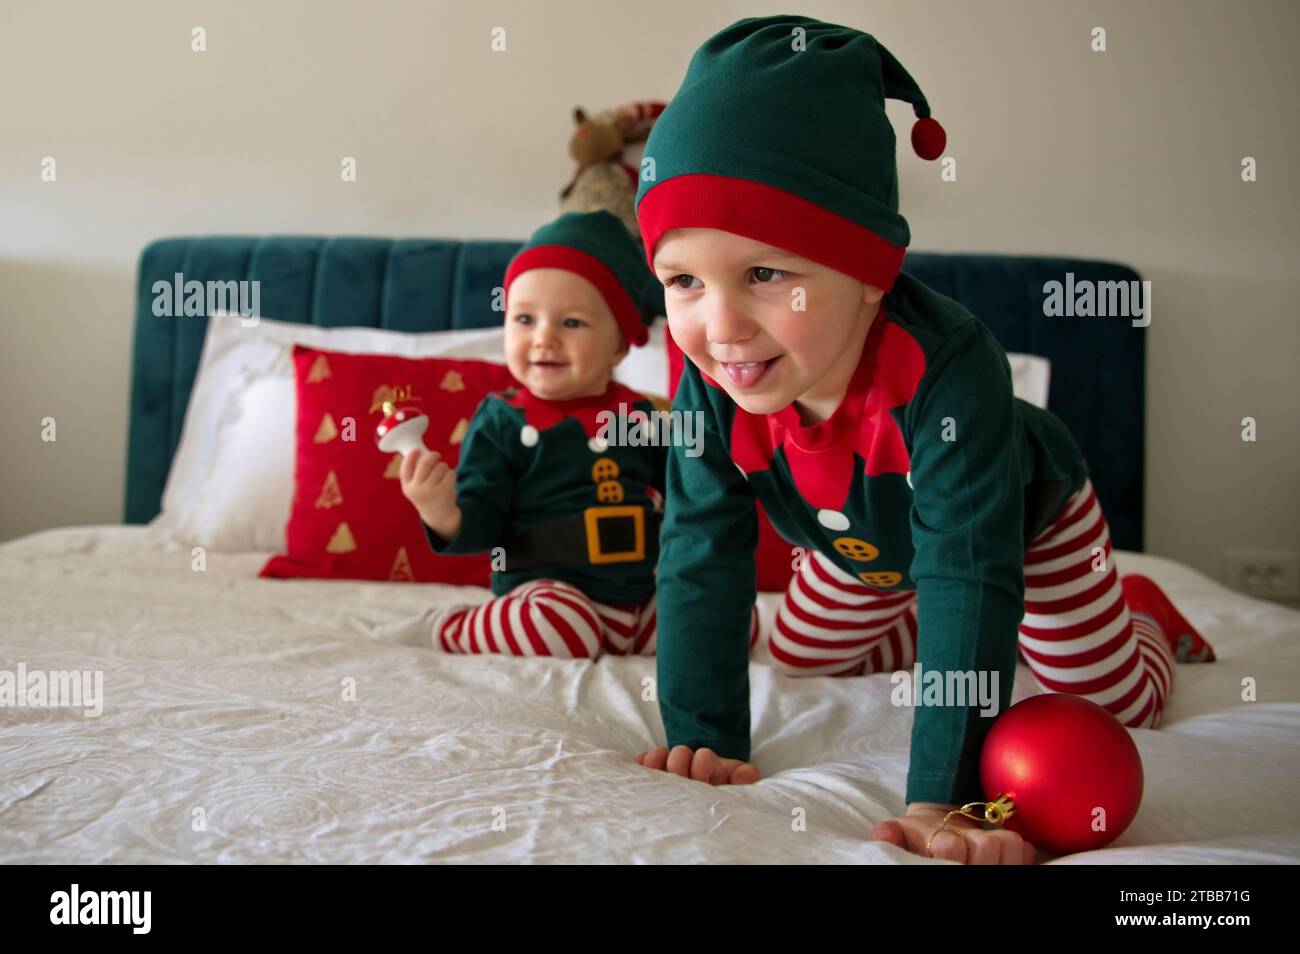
(1068, 767)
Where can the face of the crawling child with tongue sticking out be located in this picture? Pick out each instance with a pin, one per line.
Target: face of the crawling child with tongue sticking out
(768, 326)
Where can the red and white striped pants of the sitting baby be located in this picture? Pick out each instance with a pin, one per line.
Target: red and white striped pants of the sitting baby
(551, 618)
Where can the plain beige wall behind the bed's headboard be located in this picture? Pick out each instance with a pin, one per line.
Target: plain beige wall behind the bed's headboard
(1132, 155)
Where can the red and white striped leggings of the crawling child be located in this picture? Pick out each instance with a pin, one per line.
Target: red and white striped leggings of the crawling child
(1077, 638)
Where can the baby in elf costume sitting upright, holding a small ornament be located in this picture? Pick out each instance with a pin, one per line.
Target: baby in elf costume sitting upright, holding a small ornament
(571, 518)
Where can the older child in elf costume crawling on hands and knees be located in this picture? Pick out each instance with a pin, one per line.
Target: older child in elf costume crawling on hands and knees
(946, 521)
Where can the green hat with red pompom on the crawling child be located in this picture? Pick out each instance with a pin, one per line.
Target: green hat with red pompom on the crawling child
(779, 135)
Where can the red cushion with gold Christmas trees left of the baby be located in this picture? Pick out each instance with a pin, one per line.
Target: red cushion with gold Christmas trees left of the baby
(349, 519)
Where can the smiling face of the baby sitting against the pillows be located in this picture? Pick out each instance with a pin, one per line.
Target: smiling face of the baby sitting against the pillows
(562, 340)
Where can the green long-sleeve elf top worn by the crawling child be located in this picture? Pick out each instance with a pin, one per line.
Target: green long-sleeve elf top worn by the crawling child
(930, 476)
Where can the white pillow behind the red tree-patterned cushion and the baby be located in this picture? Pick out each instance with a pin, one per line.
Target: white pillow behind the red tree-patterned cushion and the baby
(232, 480)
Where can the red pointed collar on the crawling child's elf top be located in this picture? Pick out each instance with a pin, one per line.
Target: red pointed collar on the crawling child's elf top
(821, 457)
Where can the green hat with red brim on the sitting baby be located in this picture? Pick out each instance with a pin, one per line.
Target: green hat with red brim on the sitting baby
(599, 248)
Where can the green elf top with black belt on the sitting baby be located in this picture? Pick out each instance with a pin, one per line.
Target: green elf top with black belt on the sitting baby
(527, 462)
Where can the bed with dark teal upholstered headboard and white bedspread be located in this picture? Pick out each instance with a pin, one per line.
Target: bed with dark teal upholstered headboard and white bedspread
(263, 721)
